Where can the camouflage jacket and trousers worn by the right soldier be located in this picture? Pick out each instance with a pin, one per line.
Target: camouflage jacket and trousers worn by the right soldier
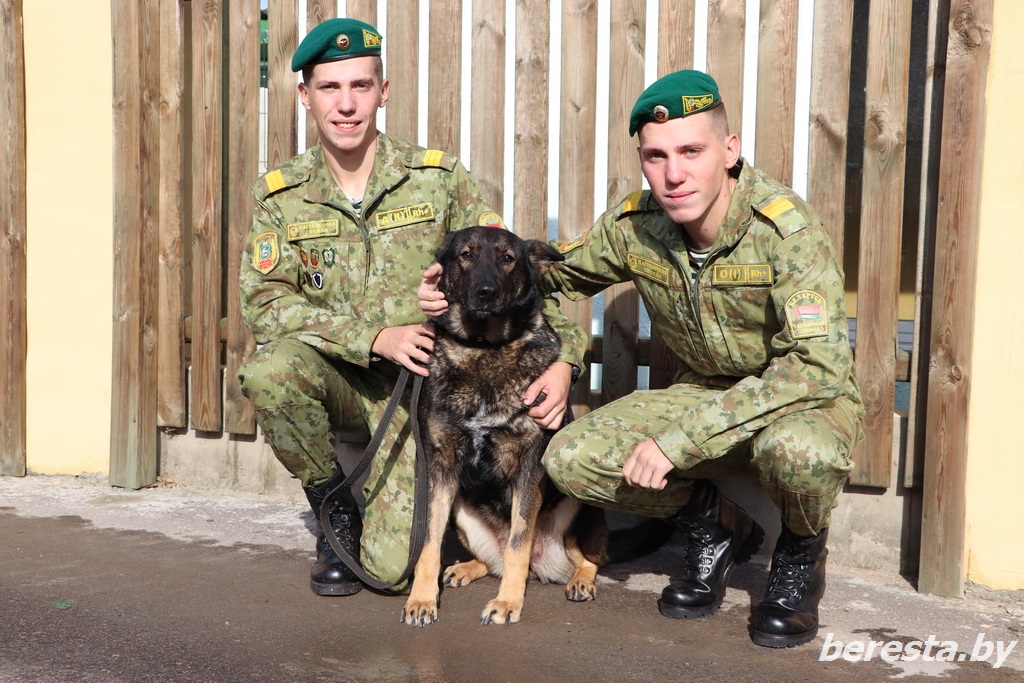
(766, 387)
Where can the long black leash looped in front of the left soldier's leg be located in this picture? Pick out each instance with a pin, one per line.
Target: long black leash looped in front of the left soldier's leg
(419, 532)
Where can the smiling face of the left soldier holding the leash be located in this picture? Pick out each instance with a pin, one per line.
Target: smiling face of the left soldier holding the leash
(344, 99)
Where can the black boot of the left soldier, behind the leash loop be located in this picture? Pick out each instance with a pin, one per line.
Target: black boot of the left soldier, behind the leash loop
(329, 575)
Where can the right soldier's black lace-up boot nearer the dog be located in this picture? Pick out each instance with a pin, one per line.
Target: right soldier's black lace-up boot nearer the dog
(719, 535)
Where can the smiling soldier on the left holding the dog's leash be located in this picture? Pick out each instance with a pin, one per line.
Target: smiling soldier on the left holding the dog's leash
(340, 237)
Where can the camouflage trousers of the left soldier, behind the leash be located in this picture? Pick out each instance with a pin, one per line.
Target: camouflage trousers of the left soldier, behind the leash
(301, 398)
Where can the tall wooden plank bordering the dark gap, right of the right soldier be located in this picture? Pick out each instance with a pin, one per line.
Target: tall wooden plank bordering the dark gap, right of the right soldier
(881, 227)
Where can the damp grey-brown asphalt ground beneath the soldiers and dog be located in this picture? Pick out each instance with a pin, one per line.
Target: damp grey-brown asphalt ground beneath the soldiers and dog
(168, 584)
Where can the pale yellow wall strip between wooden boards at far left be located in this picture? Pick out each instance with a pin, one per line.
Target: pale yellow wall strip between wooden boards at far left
(69, 186)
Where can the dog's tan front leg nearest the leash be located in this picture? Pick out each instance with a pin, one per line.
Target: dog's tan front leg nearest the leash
(421, 608)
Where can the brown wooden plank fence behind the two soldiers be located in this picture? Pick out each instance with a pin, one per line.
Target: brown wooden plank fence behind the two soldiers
(187, 80)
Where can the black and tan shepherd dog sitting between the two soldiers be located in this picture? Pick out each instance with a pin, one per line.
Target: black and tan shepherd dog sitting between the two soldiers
(484, 451)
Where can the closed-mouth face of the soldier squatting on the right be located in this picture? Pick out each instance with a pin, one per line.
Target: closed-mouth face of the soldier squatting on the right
(687, 162)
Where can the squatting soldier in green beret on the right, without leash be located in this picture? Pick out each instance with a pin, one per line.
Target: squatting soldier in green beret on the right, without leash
(741, 281)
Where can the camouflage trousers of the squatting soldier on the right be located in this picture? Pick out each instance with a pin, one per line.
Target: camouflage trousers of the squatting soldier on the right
(802, 459)
